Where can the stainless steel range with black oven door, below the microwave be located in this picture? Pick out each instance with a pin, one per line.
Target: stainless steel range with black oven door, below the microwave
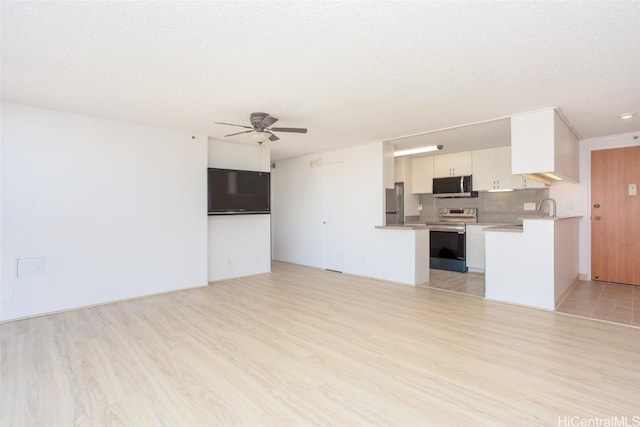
(448, 245)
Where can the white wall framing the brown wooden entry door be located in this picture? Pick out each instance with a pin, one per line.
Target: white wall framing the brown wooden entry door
(575, 199)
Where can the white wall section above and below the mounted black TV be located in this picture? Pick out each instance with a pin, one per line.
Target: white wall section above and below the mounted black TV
(238, 245)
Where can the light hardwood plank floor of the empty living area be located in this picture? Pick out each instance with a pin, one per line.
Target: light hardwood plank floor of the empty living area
(300, 346)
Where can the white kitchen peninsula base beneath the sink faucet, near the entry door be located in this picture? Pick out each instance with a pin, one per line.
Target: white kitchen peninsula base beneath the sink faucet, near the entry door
(534, 264)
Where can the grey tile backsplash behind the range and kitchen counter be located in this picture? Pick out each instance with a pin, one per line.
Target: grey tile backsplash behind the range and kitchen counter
(505, 207)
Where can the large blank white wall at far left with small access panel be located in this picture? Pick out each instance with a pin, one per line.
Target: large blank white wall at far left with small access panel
(116, 210)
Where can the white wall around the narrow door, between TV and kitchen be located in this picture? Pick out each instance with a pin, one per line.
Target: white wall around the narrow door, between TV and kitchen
(297, 209)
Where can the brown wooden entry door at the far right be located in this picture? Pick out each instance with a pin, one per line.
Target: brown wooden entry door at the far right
(615, 215)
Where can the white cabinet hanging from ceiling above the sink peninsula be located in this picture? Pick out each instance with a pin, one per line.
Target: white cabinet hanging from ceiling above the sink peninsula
(543, 146)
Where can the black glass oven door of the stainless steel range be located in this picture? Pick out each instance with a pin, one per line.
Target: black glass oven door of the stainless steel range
(448, 250)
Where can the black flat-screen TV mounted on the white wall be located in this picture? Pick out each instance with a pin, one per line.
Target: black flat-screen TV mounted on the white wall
(238, 192)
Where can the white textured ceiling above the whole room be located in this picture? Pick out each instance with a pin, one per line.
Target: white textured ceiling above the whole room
(352, 72)
